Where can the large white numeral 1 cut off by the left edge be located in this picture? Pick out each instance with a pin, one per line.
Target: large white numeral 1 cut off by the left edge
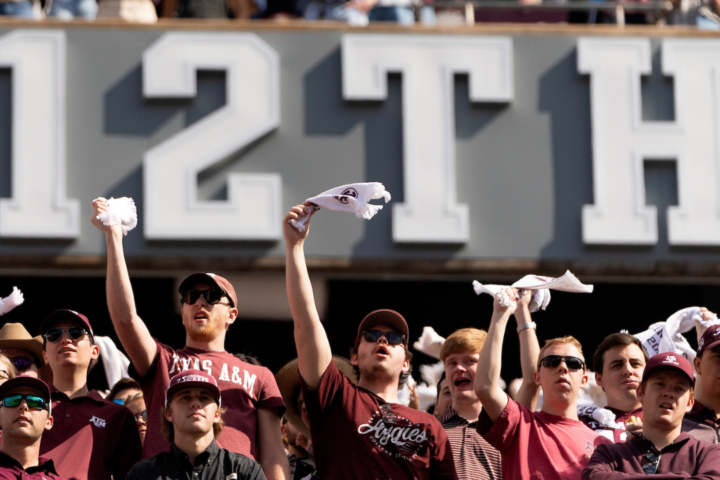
(39, 207)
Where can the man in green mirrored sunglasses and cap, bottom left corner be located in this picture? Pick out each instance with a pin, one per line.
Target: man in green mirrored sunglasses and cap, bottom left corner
(25, 414)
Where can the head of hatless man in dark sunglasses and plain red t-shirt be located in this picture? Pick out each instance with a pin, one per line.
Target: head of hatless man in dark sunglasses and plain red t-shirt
(560, 384)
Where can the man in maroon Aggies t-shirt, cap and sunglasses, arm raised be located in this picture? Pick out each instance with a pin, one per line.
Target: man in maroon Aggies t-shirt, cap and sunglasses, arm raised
(360, 432)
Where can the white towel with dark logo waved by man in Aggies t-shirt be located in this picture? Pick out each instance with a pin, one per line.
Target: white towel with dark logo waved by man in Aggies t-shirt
(351, 198)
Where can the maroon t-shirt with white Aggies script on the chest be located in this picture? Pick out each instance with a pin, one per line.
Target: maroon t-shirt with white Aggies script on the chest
(352, 442)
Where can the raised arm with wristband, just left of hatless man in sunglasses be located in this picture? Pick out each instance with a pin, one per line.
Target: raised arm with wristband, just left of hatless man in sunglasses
(529, 351)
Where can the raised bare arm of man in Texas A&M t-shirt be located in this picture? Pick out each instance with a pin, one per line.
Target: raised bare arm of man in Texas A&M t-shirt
(130, 328)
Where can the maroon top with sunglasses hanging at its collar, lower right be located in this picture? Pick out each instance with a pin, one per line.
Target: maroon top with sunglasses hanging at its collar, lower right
(686, 457)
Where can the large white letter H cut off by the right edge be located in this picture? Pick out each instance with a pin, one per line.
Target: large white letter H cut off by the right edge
(622, 141)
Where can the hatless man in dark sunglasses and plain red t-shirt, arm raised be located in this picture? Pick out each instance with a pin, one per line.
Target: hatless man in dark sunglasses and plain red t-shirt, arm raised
(552, 443)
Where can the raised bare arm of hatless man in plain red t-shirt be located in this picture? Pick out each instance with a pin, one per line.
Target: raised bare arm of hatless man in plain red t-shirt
(487, 387)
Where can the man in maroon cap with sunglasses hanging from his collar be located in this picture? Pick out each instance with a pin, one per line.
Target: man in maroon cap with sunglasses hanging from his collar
(662, 450)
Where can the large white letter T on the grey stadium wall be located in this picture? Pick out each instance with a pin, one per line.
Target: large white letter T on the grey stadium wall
(430, 212)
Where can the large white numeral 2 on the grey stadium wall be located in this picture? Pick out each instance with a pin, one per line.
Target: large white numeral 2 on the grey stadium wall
(254, 207)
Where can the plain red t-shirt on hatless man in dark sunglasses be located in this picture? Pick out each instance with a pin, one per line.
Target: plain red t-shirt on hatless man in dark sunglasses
(539, 445)
